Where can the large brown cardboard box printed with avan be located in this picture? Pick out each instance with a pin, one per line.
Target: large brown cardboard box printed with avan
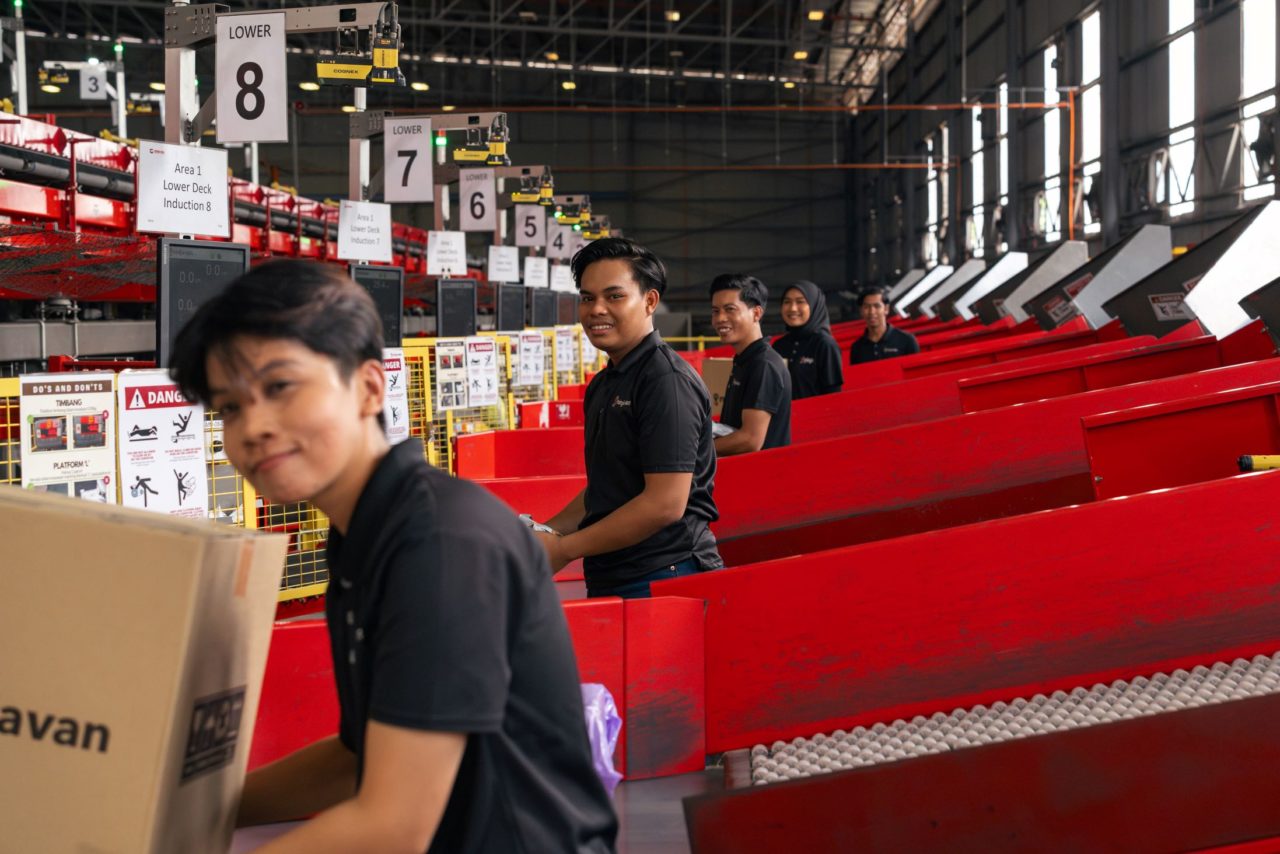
(132, 649)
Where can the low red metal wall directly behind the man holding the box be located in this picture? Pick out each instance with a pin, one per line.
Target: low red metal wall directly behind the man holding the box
(647, 652)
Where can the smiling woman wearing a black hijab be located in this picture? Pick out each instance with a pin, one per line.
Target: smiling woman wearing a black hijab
(812, 353)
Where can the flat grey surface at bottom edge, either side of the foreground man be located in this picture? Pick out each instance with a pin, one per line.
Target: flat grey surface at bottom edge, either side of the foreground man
(651, 812)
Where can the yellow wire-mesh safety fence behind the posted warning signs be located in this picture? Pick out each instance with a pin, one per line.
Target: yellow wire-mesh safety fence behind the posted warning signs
(234, 501)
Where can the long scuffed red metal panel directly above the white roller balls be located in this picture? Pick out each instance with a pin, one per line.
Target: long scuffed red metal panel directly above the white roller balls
(979, 614)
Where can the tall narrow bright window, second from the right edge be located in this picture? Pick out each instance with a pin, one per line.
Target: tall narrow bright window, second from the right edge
(1178, 189)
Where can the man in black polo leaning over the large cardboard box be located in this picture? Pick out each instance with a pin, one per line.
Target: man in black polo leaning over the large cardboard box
(461, 714)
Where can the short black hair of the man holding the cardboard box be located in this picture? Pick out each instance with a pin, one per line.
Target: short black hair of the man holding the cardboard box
(313, 304)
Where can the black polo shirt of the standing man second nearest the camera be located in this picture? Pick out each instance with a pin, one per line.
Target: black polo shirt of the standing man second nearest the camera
(650, 414)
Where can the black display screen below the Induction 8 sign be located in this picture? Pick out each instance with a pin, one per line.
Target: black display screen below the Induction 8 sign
(190, 275)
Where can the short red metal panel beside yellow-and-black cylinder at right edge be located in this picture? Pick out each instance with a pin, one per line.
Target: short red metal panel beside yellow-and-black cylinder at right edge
(1181, 442)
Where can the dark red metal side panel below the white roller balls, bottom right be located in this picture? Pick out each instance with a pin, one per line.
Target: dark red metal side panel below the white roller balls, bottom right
(1169, 783)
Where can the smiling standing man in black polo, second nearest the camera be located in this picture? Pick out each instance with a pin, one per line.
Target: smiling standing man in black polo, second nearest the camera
(647, 509)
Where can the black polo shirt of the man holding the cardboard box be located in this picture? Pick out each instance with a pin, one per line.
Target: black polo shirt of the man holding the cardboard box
(444, 616)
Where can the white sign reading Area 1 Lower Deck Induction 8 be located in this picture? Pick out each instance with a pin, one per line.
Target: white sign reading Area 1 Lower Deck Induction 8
(182, 190)
